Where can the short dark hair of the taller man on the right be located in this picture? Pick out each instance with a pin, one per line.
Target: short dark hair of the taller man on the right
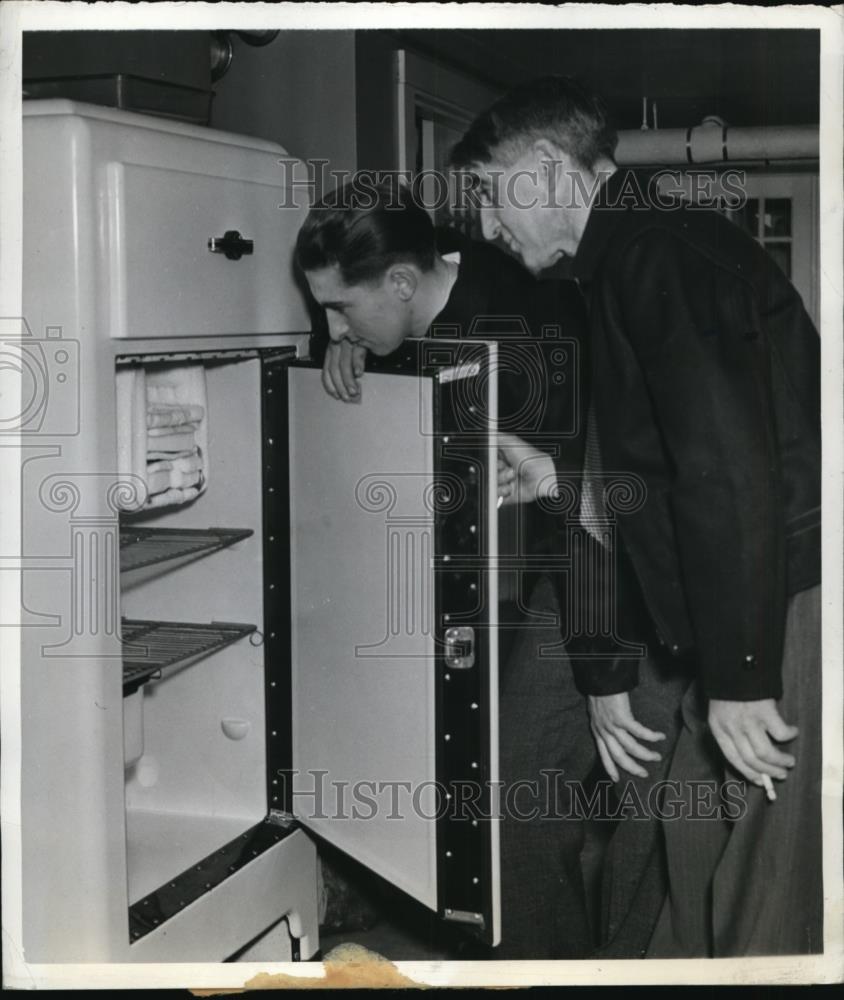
(558, 108)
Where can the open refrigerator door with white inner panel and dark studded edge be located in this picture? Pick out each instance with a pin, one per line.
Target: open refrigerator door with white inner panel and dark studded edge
(393, 617)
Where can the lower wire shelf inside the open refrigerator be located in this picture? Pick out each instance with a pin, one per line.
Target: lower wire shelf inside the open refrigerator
(149, 646)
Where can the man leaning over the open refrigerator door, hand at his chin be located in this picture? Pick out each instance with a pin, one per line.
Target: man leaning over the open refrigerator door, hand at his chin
(382, 273)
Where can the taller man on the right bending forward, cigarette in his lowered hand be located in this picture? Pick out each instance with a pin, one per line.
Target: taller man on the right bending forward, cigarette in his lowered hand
(705, 384)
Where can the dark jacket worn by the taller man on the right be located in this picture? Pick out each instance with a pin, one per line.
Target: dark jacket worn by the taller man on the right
(706, 382)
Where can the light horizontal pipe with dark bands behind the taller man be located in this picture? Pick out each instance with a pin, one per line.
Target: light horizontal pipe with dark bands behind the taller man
(716, 143)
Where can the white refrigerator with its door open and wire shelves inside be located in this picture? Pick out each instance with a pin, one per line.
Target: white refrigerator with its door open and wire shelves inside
(300, 647)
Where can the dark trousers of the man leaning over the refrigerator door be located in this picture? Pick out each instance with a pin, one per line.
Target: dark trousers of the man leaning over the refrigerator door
(544, 728)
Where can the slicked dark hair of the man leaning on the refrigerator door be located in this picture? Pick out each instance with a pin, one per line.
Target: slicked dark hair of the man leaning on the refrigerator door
(366, 228)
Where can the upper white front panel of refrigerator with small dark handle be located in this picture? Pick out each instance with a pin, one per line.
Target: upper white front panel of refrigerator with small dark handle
(164, 281)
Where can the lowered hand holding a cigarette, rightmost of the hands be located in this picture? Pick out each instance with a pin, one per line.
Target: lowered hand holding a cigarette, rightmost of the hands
(744, 730)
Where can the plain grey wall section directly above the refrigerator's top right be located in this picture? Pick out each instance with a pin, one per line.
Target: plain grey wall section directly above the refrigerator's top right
(299, 91)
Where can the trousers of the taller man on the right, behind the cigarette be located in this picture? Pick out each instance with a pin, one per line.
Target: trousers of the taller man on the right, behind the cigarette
(752, 886)
